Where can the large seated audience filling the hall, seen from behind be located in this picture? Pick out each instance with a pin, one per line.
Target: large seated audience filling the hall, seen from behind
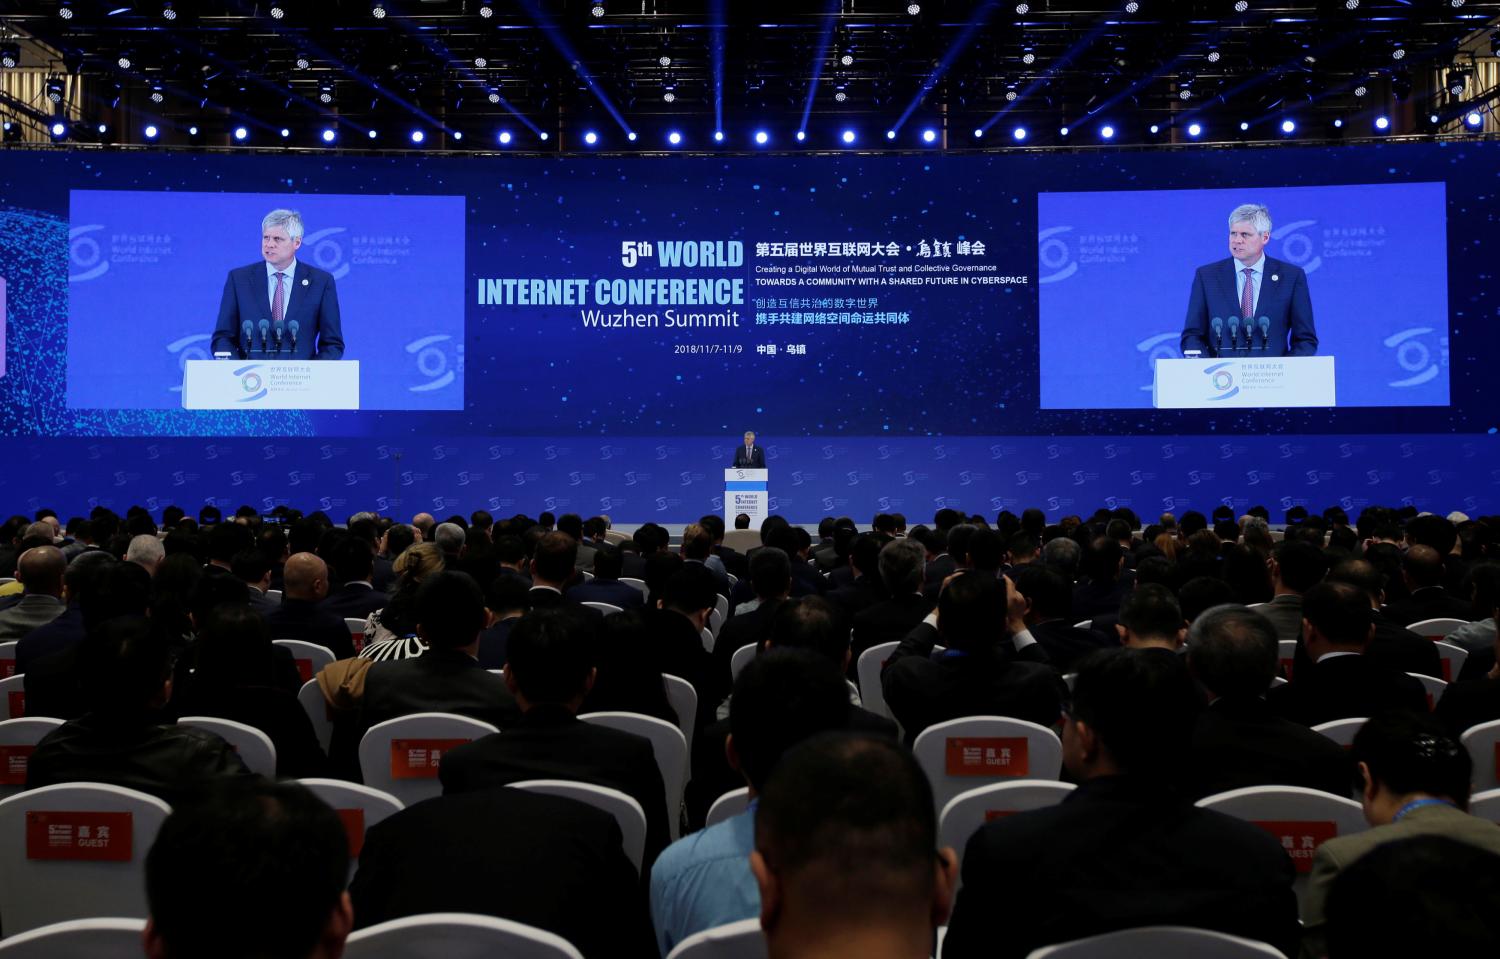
(1175, 663)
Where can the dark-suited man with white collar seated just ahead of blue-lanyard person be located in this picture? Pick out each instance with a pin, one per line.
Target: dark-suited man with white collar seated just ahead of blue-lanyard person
(1342, 682)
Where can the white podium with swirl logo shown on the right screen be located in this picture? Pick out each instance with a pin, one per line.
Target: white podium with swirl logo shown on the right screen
(1241, 382)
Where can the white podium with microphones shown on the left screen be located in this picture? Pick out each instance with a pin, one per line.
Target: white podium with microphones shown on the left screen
(272, 385)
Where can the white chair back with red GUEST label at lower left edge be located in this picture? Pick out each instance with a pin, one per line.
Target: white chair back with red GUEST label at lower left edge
(76, 850)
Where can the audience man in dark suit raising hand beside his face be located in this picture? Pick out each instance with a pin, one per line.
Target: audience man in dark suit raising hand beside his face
(979, 619)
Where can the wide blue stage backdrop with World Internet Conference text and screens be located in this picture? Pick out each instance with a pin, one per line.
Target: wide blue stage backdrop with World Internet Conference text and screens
(611, 326)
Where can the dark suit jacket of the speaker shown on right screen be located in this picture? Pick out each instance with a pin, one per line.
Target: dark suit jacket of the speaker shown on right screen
(1283, 299)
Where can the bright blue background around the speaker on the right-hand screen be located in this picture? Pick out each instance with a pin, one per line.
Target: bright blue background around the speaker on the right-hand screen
(1117, 269)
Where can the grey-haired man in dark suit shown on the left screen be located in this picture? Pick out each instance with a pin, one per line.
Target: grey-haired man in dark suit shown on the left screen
(299, 304)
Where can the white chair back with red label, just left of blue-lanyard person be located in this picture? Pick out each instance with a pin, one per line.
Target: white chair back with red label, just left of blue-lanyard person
(1300, 819)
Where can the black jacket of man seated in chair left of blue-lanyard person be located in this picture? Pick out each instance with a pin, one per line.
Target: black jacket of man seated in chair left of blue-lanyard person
(1243, 744)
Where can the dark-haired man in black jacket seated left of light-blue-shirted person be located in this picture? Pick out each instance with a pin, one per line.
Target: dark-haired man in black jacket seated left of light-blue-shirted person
(550, 670)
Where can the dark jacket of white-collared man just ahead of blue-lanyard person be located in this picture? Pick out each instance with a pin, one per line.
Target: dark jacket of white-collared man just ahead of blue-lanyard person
(1346, 688)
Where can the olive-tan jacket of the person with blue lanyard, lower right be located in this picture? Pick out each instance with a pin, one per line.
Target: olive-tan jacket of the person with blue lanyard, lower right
(1337, 855)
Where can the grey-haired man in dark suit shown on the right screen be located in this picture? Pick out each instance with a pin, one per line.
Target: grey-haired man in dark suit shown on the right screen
(1250, 304)
